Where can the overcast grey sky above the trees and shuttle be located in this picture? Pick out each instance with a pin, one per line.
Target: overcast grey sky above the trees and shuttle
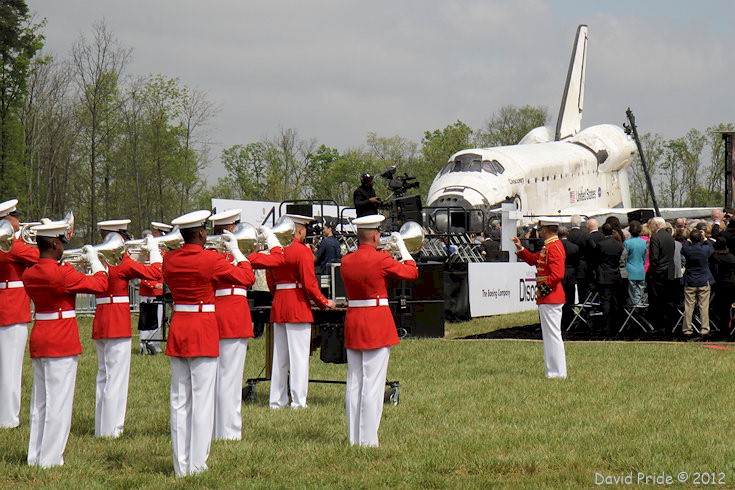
(336, 70)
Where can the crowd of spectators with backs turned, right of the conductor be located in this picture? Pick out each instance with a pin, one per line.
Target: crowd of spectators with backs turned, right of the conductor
(680, 273)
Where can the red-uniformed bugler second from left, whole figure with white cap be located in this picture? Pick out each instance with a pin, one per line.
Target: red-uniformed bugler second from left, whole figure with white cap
(55, 341)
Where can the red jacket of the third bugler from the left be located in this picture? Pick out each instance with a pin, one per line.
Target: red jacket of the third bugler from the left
(112, 320)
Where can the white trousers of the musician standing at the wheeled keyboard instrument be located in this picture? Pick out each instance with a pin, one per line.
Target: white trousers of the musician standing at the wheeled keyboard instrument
(291, 343)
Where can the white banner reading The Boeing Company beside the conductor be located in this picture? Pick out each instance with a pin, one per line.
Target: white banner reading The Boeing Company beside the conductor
(500, 287)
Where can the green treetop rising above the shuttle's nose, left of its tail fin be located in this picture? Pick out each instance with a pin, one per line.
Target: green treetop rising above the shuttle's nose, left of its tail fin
(510, 124)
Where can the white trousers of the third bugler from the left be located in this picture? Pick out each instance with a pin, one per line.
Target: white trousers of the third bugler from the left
(113, 373)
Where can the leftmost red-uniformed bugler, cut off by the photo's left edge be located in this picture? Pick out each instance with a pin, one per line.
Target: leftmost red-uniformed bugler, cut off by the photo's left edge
(15, 315)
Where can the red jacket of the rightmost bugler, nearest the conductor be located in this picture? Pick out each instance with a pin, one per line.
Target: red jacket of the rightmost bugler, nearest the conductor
(364, 273)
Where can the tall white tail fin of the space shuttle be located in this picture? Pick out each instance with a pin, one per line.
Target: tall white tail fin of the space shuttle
(572, 102)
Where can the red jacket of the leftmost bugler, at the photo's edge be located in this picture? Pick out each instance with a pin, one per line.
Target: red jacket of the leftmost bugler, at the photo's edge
(15, 306)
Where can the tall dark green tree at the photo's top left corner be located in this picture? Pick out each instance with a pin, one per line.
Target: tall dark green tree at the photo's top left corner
(20, 41)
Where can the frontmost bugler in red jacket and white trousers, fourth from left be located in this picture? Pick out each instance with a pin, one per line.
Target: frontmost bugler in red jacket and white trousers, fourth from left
(192, 273)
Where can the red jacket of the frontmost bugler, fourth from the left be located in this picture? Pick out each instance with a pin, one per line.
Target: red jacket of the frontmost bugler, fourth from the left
(192, 273)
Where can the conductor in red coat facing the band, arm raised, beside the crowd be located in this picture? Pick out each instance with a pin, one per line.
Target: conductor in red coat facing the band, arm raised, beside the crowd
(549, 264)
